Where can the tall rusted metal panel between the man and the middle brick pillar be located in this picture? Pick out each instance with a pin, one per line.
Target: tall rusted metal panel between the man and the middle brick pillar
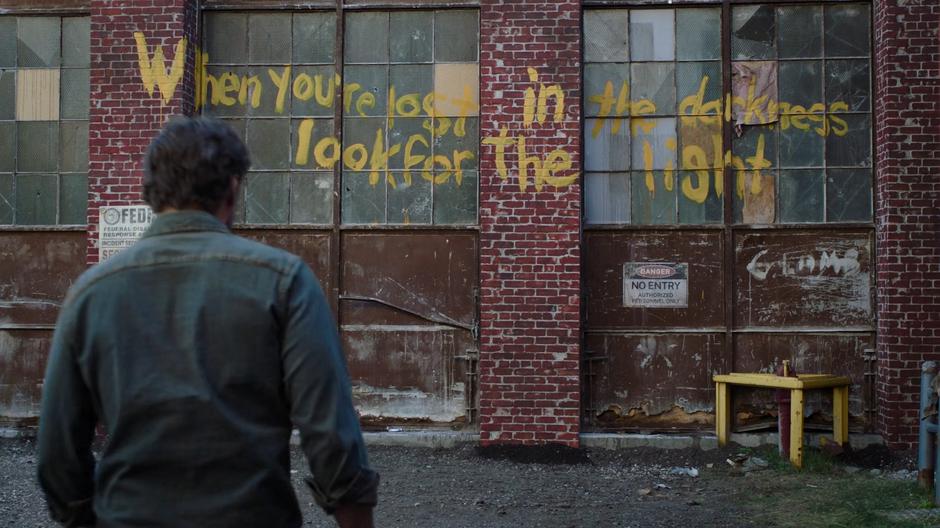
(408, 312)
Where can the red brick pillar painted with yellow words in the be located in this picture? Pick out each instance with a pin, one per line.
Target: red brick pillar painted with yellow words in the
(530, 221)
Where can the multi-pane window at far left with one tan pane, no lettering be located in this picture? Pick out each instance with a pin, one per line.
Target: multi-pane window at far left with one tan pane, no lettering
(44, 89)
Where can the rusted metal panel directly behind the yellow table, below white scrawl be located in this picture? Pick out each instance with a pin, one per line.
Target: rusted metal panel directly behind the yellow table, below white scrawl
(838, 354)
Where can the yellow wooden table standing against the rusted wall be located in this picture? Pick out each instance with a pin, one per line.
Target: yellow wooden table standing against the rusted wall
(840, 404)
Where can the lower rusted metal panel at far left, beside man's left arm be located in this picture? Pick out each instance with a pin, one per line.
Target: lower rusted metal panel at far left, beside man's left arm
(23, 355)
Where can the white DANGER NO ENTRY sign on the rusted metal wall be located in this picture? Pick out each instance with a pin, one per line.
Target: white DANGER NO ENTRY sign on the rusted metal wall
(655, 285)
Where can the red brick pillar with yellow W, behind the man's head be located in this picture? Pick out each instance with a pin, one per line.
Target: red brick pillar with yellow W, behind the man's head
(132, 95)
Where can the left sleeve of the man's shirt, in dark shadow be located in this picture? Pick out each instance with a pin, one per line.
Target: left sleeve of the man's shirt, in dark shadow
(66, 430)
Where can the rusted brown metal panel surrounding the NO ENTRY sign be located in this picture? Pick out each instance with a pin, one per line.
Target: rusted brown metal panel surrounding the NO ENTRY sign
(606, 254)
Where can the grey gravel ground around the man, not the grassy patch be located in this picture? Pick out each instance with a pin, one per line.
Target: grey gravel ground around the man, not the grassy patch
(542, 487)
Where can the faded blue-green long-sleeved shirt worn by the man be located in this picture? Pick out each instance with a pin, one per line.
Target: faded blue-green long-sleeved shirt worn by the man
(197, 350)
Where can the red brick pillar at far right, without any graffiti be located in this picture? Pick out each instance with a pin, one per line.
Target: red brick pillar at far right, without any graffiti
(907, 139)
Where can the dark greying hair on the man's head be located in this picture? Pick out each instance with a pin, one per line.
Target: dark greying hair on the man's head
(191, 163)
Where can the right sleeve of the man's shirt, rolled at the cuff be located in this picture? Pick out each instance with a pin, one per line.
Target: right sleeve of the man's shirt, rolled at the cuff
(320, 397)
